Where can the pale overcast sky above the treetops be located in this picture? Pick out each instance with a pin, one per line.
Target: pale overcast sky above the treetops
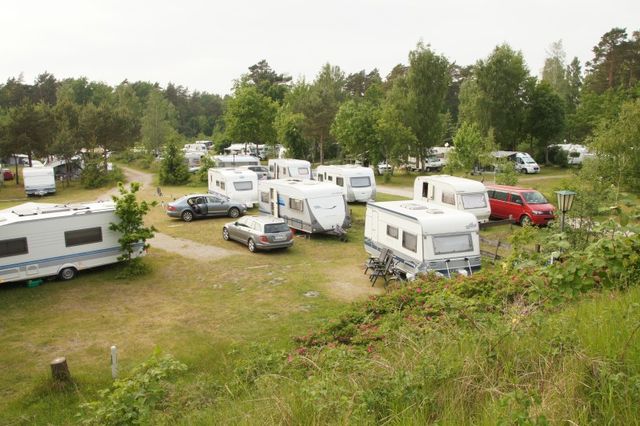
(205, 45)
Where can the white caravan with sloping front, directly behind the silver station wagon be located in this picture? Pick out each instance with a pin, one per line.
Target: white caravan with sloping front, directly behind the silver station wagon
(306, 205)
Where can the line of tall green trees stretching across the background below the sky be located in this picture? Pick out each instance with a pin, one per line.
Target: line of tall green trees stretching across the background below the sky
(495, 104)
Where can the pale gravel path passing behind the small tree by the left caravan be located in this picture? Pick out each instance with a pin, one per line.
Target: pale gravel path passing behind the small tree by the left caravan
(181, 246)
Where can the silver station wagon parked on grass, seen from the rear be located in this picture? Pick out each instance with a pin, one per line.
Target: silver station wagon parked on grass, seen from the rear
(259, 232)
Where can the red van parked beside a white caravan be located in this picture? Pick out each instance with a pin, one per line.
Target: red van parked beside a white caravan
(525, 206)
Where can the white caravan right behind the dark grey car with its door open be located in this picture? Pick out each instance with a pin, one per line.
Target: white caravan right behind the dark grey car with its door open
(239, 185)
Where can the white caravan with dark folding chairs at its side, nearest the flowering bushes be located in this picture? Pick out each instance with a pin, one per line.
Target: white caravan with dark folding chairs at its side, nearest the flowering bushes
(423, 237)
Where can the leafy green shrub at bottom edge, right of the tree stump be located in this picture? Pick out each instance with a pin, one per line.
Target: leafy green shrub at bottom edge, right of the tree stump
(132, 400)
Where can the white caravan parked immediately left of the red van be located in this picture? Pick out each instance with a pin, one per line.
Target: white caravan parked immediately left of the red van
(454, 192)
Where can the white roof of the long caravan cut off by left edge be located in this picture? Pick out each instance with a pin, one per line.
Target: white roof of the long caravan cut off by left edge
(39, 211)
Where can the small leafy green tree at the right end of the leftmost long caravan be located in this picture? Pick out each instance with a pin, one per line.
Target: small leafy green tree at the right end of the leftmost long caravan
(130, 212)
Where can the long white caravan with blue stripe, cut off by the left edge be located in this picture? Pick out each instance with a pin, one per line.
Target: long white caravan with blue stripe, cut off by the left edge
(43, 239)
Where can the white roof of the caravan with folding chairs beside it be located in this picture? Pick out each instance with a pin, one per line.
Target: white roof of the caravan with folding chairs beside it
(433, 218)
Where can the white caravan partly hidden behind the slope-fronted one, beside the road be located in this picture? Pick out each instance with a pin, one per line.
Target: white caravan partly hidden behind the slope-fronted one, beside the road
(357, 182)
